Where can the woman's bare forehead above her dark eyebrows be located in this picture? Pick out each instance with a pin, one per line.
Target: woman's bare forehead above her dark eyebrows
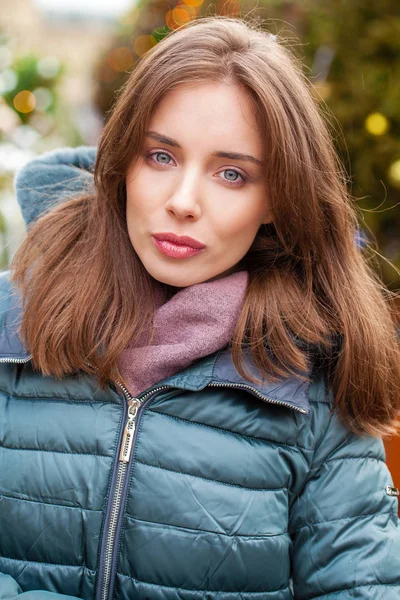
(208, 114)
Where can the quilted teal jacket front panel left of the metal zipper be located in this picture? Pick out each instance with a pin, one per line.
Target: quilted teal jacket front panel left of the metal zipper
(55, 462)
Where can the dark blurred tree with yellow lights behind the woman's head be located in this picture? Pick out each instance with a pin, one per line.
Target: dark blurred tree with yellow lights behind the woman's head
(351, 55)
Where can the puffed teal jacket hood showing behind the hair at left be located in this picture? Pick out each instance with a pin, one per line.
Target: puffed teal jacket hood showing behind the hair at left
(52, 177)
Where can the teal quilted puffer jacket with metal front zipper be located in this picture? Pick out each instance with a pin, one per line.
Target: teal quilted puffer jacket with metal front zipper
(205, 487)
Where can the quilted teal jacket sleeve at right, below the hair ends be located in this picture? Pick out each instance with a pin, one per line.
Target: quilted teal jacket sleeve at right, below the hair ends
(344, 525)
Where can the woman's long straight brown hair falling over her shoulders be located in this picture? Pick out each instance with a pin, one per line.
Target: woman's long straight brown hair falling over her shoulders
(312, 294)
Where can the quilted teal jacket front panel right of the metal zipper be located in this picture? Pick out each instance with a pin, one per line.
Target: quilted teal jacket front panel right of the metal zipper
(194, 484)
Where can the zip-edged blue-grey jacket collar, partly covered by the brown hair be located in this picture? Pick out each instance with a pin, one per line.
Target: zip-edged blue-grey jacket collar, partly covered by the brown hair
(216, 369)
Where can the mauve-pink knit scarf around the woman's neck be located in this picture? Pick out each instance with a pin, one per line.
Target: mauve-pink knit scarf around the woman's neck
(197, 321)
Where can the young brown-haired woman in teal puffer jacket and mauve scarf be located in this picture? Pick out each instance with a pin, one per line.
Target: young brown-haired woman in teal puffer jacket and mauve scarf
(197, 362)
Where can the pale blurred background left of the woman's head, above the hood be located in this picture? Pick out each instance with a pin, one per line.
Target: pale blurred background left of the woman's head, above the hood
(46, 62)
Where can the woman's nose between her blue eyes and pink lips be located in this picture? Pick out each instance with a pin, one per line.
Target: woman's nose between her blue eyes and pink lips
(184, 200)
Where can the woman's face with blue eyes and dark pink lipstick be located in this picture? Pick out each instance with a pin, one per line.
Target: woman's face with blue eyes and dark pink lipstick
(192, 179)
